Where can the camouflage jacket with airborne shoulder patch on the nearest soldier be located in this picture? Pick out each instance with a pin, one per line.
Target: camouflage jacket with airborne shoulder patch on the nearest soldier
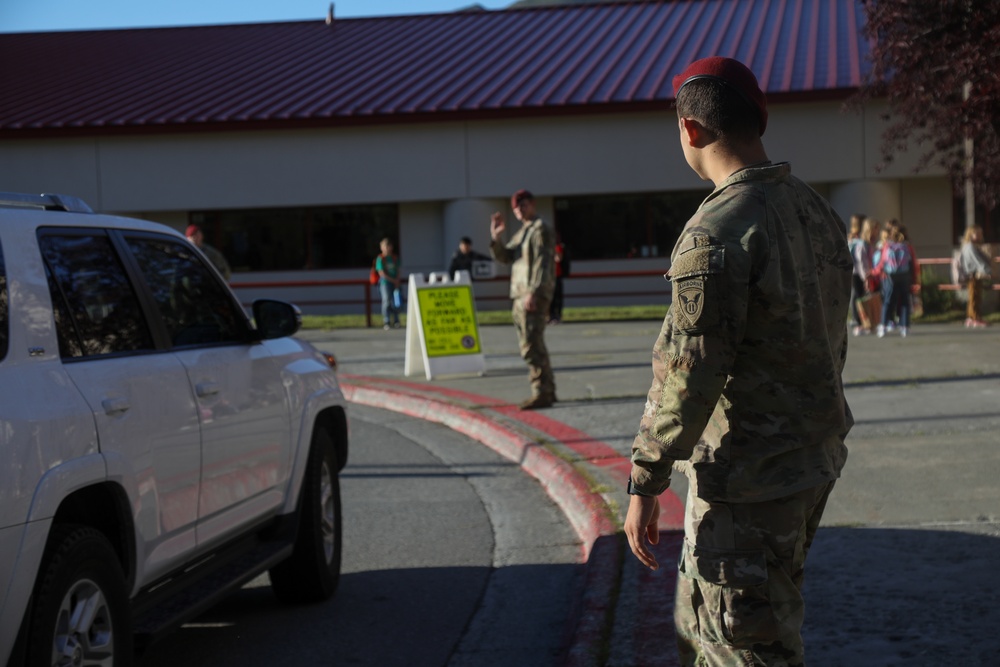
(747, 393)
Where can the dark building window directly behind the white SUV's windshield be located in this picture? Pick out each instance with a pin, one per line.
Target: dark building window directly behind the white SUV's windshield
(299, 239)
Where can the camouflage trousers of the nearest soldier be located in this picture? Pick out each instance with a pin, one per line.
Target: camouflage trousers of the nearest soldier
(739, 589)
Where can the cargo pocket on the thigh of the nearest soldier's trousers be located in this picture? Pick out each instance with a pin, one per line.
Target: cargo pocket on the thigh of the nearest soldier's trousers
(736, 608)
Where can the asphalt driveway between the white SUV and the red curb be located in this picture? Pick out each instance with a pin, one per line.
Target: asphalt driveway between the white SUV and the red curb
(452, 556)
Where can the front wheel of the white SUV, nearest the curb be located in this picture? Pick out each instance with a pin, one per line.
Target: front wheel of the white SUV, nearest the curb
(312, 572)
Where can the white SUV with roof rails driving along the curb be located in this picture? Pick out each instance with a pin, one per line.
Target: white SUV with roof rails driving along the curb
(157, 448)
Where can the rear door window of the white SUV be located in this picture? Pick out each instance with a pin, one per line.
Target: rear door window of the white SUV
(95, 307)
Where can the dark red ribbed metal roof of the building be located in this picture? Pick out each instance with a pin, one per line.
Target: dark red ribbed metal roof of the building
(593, 57)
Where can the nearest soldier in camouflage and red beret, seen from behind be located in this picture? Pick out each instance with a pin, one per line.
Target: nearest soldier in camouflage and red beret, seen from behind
(747, 399)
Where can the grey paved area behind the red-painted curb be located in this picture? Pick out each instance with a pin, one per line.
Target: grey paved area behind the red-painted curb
(899, 570)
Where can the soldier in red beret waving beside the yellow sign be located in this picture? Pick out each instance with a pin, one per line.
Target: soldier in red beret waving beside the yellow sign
(531, 254)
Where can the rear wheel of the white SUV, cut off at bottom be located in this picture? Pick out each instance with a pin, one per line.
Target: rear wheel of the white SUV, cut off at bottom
(80, 612)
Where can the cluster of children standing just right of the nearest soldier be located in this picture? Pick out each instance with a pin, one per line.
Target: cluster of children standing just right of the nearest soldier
(884, 264)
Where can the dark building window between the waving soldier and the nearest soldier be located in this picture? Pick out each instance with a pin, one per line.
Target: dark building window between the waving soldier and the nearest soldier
(619, 226)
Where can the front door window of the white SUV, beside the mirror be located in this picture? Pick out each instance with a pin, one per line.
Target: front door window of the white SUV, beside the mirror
(196, 309)
